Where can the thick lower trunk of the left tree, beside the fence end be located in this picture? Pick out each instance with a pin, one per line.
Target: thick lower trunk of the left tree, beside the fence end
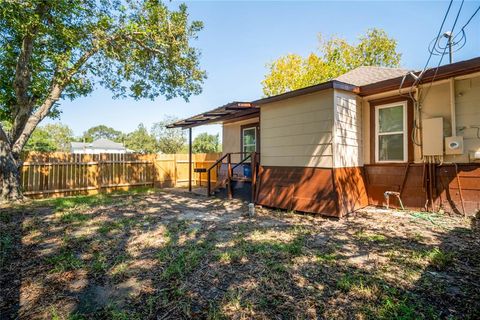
(9, 175)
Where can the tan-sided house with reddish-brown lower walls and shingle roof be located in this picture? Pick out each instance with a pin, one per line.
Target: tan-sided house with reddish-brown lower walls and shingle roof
(335, 147)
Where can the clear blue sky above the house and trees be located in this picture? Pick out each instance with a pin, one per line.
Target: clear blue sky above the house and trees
(239, 38)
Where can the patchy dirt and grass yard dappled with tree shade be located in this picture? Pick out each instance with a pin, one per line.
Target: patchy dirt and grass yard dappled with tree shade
(171, 255)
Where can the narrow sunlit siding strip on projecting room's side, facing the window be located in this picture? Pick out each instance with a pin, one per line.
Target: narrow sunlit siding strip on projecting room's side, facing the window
(348, 151)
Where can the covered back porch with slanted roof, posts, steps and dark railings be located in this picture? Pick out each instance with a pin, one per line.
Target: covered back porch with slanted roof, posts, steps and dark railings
(238, 164)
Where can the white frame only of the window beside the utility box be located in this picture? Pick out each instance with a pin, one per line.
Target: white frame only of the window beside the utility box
(404, 132)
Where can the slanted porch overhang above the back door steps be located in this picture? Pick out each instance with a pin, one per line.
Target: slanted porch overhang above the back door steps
(228, 112)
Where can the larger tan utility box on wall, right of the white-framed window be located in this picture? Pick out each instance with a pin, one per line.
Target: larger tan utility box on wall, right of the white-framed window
(432, 137)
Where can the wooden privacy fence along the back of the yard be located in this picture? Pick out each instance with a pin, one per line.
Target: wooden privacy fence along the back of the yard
(54, 174)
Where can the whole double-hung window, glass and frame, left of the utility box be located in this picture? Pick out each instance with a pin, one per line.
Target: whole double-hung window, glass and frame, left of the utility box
(391, 138)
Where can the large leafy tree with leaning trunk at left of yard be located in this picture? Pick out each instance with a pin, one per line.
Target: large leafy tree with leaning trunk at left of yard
(56, 49)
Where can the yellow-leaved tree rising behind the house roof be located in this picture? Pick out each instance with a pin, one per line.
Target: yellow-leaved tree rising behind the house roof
(336, 57)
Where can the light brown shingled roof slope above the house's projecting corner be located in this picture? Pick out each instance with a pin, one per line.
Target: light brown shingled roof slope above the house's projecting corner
(367, 75)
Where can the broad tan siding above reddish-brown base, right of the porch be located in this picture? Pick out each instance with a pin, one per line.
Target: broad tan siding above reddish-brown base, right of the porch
(298, 131)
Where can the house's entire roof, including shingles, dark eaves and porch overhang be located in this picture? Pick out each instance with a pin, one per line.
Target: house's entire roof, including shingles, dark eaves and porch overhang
(363, 81)
